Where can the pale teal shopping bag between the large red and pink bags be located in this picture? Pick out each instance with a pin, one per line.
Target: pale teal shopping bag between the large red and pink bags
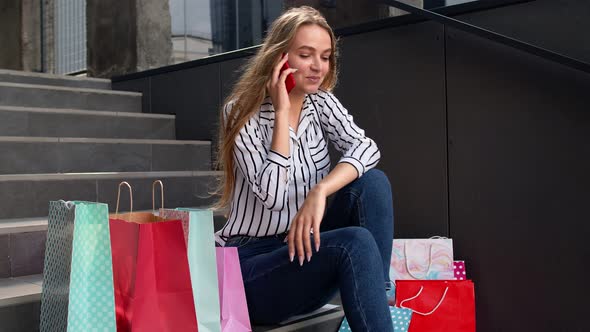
(199, 235)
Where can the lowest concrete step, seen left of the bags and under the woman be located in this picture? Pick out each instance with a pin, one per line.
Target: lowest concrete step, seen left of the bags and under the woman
(20, 303)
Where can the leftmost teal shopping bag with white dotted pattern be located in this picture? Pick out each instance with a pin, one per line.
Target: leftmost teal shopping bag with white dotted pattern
(78, 276)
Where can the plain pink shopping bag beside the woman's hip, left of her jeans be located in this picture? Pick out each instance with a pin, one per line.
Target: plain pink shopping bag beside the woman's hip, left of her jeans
(232, 296)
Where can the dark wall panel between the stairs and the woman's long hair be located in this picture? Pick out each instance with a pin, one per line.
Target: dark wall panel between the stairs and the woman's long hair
(193, 95)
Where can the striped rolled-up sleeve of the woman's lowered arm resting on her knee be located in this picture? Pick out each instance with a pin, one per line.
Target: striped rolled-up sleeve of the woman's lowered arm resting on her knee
(357, 149)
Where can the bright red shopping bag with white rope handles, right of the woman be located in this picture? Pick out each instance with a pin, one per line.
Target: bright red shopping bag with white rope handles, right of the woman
(438, 305)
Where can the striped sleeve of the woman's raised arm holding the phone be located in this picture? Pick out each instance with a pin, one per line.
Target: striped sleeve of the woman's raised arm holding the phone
(266, 171)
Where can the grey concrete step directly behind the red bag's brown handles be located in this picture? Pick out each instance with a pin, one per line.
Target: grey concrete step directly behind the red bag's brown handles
(28, 195)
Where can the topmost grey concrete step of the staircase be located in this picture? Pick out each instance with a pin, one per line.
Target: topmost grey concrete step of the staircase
(14, 76)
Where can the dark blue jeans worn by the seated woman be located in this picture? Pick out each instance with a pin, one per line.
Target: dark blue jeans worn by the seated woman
(354, 256)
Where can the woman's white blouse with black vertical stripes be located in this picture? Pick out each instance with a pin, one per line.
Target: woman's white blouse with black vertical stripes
(270, 187)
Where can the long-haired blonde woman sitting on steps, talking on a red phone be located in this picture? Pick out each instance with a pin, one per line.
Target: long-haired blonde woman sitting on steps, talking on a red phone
(274, 154)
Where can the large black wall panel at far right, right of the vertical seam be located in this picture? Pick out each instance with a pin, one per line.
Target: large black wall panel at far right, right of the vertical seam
(519, 180)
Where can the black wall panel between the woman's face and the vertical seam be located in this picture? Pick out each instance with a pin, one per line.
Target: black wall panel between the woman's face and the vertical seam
(392, 82)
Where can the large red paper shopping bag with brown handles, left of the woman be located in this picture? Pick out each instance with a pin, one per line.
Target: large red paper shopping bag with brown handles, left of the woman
(151, 275)
